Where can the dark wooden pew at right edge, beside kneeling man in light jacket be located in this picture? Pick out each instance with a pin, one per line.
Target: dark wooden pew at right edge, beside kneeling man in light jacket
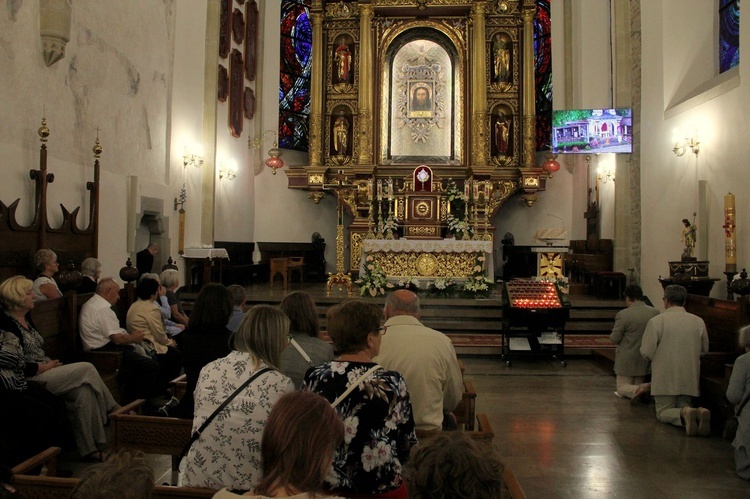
(723, 319)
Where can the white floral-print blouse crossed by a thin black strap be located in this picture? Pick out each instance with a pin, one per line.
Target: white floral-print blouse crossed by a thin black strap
(227, 454)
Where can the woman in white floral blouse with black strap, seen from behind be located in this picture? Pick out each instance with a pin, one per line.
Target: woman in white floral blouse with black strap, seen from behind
(227, 453)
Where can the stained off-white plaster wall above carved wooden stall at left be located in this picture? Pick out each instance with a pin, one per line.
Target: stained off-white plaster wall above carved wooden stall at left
(115, 77)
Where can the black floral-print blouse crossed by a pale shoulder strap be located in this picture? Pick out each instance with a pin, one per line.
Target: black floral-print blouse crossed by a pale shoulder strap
(378, 426)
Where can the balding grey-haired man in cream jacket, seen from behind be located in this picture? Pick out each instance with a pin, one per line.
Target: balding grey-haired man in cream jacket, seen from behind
(425, 357)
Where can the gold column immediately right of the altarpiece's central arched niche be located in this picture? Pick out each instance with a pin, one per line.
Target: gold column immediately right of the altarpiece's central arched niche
(479, 87)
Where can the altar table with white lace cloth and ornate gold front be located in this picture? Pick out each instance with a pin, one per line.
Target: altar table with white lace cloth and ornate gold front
(428, 259)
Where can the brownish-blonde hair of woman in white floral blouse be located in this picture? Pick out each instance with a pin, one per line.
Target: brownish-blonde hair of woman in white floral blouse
(262, 334)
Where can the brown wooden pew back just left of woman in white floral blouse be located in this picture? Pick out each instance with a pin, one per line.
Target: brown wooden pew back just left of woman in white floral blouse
(150, 434)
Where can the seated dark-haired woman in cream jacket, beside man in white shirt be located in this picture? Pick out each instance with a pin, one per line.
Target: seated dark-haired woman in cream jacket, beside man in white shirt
(144, 315)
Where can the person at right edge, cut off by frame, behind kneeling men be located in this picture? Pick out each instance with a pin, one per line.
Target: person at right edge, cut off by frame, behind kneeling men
(738, 393)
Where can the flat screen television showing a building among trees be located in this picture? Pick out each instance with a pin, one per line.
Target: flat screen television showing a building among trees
(592, 131)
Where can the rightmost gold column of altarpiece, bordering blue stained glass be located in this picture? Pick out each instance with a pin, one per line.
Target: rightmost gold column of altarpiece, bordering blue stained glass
(529, 94)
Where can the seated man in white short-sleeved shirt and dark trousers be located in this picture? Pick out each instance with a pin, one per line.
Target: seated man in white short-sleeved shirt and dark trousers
(100, 331)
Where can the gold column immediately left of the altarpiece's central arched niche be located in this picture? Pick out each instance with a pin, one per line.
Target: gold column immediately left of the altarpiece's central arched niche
(366, 76)
